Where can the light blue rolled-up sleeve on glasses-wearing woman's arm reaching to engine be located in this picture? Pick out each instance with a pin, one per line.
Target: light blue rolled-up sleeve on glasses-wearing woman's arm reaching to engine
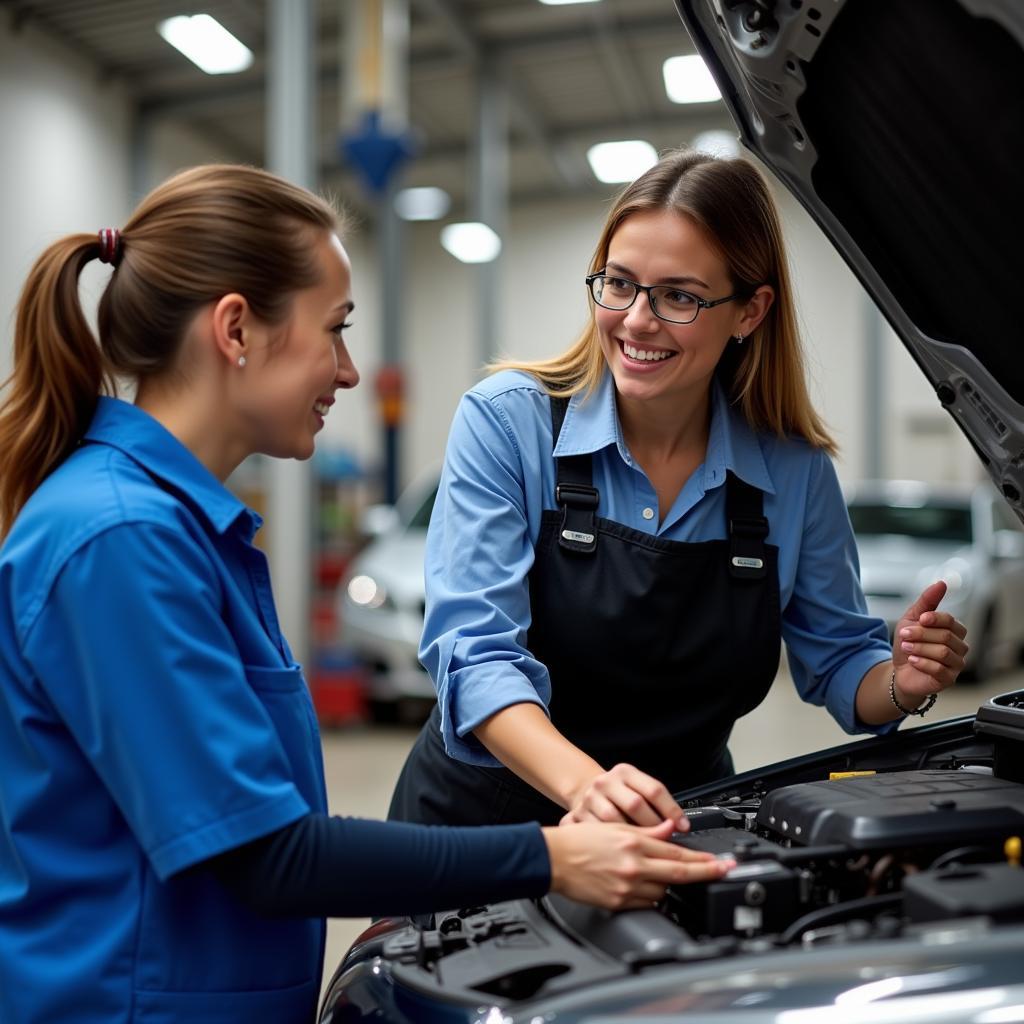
(480, 552)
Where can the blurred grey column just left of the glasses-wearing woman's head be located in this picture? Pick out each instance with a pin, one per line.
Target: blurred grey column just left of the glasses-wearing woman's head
(491, 187)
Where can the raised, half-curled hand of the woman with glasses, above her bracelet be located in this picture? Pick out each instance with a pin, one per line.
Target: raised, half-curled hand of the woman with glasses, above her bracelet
(928, 648)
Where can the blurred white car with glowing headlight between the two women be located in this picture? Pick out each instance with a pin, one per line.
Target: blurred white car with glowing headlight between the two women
(381, 602)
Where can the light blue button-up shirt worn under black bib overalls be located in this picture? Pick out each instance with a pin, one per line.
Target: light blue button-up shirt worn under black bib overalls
(499, 477)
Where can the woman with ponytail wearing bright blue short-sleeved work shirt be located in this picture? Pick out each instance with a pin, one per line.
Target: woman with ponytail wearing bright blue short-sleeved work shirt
(165, 848)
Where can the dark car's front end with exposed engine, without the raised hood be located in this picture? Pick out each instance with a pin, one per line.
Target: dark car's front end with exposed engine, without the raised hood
(873, 886)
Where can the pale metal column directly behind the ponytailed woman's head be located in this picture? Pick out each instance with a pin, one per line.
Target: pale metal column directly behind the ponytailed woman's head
(291, 63)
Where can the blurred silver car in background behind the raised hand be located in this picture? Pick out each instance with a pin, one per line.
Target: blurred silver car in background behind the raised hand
(911, 534)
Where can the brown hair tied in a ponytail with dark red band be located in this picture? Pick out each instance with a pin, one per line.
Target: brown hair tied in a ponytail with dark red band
(203, 234)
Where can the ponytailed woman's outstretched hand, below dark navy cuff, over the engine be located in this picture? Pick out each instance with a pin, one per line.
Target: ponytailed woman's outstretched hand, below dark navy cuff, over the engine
(620, 867)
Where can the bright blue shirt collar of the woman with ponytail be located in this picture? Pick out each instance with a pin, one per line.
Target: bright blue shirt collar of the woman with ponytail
(126, 428)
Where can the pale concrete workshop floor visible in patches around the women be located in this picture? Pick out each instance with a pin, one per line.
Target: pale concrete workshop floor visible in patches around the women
(364, 763)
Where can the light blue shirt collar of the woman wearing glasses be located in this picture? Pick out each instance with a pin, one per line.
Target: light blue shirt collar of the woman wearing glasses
(592, 423)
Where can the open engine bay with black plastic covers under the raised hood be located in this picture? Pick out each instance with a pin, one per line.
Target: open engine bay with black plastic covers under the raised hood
(902, 840)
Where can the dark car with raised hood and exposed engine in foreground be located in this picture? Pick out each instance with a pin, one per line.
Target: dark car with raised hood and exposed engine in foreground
(879, 881)
